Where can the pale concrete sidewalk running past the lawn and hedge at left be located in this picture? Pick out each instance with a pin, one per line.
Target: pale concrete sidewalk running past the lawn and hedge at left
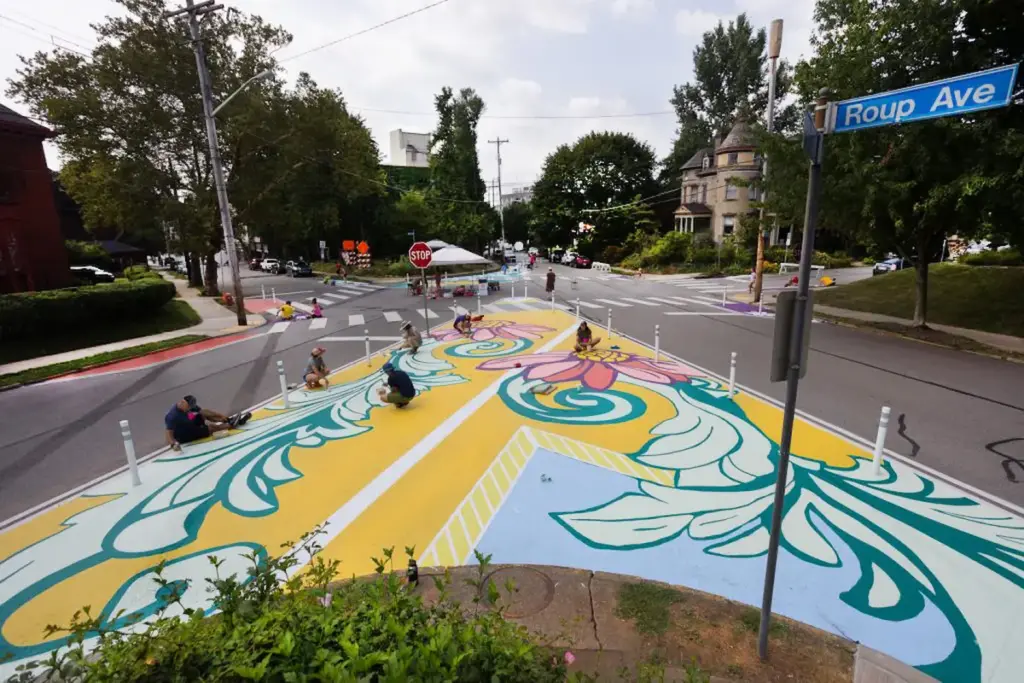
(218, 322)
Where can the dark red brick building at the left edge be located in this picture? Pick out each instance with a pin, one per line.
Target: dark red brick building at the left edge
(32, 251)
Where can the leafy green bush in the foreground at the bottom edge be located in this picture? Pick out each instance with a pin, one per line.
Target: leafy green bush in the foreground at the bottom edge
(309, 629)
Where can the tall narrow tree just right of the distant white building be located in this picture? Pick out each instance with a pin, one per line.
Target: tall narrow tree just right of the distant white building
(457, 189)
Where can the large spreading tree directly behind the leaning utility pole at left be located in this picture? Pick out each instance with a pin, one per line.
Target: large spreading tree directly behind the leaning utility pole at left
(131, 123)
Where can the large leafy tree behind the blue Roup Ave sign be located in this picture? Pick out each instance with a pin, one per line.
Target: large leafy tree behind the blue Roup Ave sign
(906, 188)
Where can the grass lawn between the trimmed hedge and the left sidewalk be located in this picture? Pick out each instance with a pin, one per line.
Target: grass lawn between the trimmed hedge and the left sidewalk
(176, 315)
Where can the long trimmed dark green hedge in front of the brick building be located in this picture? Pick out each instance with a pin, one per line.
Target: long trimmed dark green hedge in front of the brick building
(35, 314)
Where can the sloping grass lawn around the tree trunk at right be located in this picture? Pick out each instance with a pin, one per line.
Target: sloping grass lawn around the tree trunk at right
(991, 298)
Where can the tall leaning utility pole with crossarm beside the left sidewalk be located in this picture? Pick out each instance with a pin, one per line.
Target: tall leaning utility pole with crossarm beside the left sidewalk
(195, 11)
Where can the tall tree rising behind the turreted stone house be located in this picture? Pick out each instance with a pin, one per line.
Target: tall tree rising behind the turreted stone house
(731, 82)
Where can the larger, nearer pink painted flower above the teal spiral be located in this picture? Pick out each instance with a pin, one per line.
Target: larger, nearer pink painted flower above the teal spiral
(596, 369)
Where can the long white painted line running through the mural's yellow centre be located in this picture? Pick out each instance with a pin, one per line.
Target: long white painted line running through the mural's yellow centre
(373, 492)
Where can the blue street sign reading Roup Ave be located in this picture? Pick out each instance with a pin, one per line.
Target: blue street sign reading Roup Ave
(953, 97)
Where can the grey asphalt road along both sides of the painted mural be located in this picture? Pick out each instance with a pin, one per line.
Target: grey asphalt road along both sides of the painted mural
(958, 413)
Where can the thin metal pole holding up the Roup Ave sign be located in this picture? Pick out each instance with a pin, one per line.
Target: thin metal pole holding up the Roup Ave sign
(796, 354)
